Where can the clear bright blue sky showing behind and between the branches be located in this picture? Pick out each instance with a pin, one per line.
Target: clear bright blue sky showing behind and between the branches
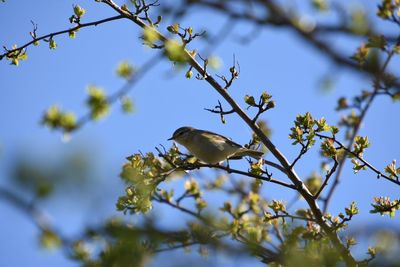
(276, 61)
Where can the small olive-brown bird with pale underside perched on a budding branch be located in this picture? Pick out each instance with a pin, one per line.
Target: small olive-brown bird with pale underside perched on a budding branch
(210, 147)
